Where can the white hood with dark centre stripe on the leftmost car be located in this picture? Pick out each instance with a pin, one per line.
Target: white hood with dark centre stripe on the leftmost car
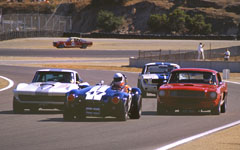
(51, 88)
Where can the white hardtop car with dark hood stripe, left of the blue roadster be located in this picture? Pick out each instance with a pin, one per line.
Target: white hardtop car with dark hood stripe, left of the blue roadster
(47, 90)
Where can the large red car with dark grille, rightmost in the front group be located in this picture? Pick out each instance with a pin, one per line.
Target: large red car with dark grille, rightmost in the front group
(193, 89)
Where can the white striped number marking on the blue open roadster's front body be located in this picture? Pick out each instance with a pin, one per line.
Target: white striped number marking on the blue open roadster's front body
(96, 93)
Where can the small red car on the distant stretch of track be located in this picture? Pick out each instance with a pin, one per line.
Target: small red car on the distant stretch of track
(72, 42)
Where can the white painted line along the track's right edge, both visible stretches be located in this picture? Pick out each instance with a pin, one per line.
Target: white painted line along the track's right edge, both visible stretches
(183, 141)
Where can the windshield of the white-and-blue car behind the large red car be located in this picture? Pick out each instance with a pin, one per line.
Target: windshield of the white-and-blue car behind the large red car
(159, 69)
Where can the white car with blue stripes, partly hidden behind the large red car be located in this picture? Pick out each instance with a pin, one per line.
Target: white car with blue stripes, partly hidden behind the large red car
(154, 75)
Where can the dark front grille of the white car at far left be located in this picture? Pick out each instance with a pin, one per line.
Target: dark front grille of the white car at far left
(43, 98)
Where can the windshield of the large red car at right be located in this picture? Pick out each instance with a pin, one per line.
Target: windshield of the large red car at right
(193, 77)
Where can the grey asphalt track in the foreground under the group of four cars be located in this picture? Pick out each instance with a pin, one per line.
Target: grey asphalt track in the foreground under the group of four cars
(47, 130)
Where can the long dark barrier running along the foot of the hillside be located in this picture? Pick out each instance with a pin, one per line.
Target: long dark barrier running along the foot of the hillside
(52, 33)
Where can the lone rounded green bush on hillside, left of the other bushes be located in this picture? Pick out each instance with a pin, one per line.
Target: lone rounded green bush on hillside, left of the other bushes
(108, 22)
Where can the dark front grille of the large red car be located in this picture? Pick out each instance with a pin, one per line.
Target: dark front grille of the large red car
(183, 93)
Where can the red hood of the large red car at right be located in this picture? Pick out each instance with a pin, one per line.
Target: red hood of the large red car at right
(188, 86)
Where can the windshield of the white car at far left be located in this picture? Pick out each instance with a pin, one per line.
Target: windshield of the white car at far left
(63, 77)
